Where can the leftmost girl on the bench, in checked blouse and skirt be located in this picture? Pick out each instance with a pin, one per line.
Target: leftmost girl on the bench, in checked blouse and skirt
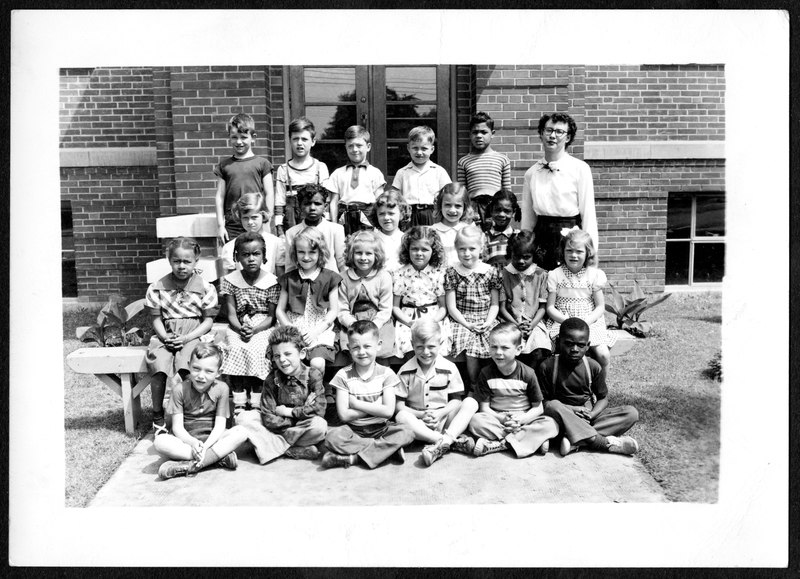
(182, 306)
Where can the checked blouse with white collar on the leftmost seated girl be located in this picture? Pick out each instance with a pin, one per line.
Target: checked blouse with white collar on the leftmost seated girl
(198, 299)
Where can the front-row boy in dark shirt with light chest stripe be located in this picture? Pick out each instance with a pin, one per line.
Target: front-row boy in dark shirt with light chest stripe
(510, 401)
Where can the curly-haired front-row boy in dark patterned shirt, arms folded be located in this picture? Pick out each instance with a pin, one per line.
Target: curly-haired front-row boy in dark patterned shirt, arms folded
(292, 399)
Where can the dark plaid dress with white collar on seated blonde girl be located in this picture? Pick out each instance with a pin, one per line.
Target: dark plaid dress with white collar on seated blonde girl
(473, 289)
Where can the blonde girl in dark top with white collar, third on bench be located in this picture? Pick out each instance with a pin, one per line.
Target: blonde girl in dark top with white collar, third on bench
(309, 297)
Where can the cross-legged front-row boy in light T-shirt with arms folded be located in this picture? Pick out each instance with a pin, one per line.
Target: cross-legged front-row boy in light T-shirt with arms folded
(365, 403)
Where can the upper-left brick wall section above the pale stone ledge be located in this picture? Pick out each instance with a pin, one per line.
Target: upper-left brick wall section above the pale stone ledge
(106, 107)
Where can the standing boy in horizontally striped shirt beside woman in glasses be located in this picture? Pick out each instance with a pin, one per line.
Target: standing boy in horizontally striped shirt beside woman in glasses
(483, 171)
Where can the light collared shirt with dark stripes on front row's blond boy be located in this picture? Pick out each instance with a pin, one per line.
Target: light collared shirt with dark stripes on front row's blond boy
(428, 391)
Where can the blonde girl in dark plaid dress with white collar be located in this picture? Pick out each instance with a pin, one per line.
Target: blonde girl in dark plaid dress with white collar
(472, 294)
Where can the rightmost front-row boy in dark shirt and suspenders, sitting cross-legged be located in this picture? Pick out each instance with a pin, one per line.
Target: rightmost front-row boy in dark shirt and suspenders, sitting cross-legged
(571, 381)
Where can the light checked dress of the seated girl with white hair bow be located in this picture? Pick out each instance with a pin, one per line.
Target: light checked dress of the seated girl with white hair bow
(574, 298)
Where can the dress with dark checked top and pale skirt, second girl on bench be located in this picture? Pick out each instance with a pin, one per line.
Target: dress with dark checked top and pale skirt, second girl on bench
(252, 303)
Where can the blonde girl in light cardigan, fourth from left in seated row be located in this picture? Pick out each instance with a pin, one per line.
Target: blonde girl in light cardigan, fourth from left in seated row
(366, 289)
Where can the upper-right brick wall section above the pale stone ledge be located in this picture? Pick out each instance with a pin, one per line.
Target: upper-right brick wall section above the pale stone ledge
(655, 102)
